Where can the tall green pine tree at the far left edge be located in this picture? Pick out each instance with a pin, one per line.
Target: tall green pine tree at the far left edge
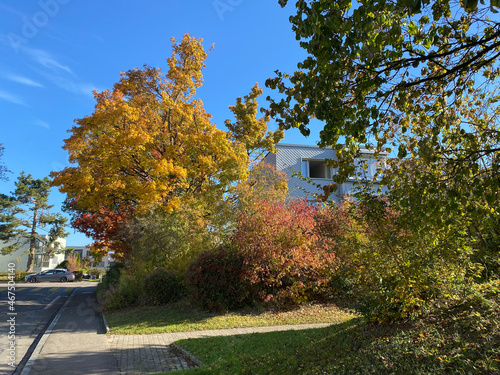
(25, 214)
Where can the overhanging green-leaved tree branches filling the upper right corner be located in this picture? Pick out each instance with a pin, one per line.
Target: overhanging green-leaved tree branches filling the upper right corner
(416, 77)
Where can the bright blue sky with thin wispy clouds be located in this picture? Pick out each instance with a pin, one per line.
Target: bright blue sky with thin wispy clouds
(55, 52)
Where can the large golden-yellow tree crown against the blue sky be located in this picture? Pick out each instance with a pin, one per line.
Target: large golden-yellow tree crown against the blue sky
(150, 145)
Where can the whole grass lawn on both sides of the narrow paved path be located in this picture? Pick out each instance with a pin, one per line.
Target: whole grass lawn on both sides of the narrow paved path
(459, 336)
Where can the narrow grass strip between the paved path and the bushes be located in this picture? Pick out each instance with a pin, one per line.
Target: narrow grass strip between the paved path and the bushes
(181, 317)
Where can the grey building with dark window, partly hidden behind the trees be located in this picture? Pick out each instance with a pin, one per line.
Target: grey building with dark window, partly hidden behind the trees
(311, 163)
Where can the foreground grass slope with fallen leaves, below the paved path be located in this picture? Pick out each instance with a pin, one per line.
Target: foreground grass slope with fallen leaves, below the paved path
(460, 337)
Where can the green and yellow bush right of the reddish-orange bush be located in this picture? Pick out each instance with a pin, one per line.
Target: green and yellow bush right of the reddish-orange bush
(390, 270)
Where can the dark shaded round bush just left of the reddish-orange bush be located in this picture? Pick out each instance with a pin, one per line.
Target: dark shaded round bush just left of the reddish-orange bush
(215, 280)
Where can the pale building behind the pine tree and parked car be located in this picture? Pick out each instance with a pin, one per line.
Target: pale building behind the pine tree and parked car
(43, 259)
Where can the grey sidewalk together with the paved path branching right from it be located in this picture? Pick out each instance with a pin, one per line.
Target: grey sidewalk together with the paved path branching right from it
(77, 343)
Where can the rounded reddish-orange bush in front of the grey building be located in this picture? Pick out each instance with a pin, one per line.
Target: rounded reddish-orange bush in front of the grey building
(285, 258)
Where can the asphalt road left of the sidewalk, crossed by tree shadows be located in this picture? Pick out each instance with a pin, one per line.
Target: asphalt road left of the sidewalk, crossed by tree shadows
(25, 312)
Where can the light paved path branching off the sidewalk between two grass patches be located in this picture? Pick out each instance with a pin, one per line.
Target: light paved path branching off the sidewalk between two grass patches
(145, 354)
